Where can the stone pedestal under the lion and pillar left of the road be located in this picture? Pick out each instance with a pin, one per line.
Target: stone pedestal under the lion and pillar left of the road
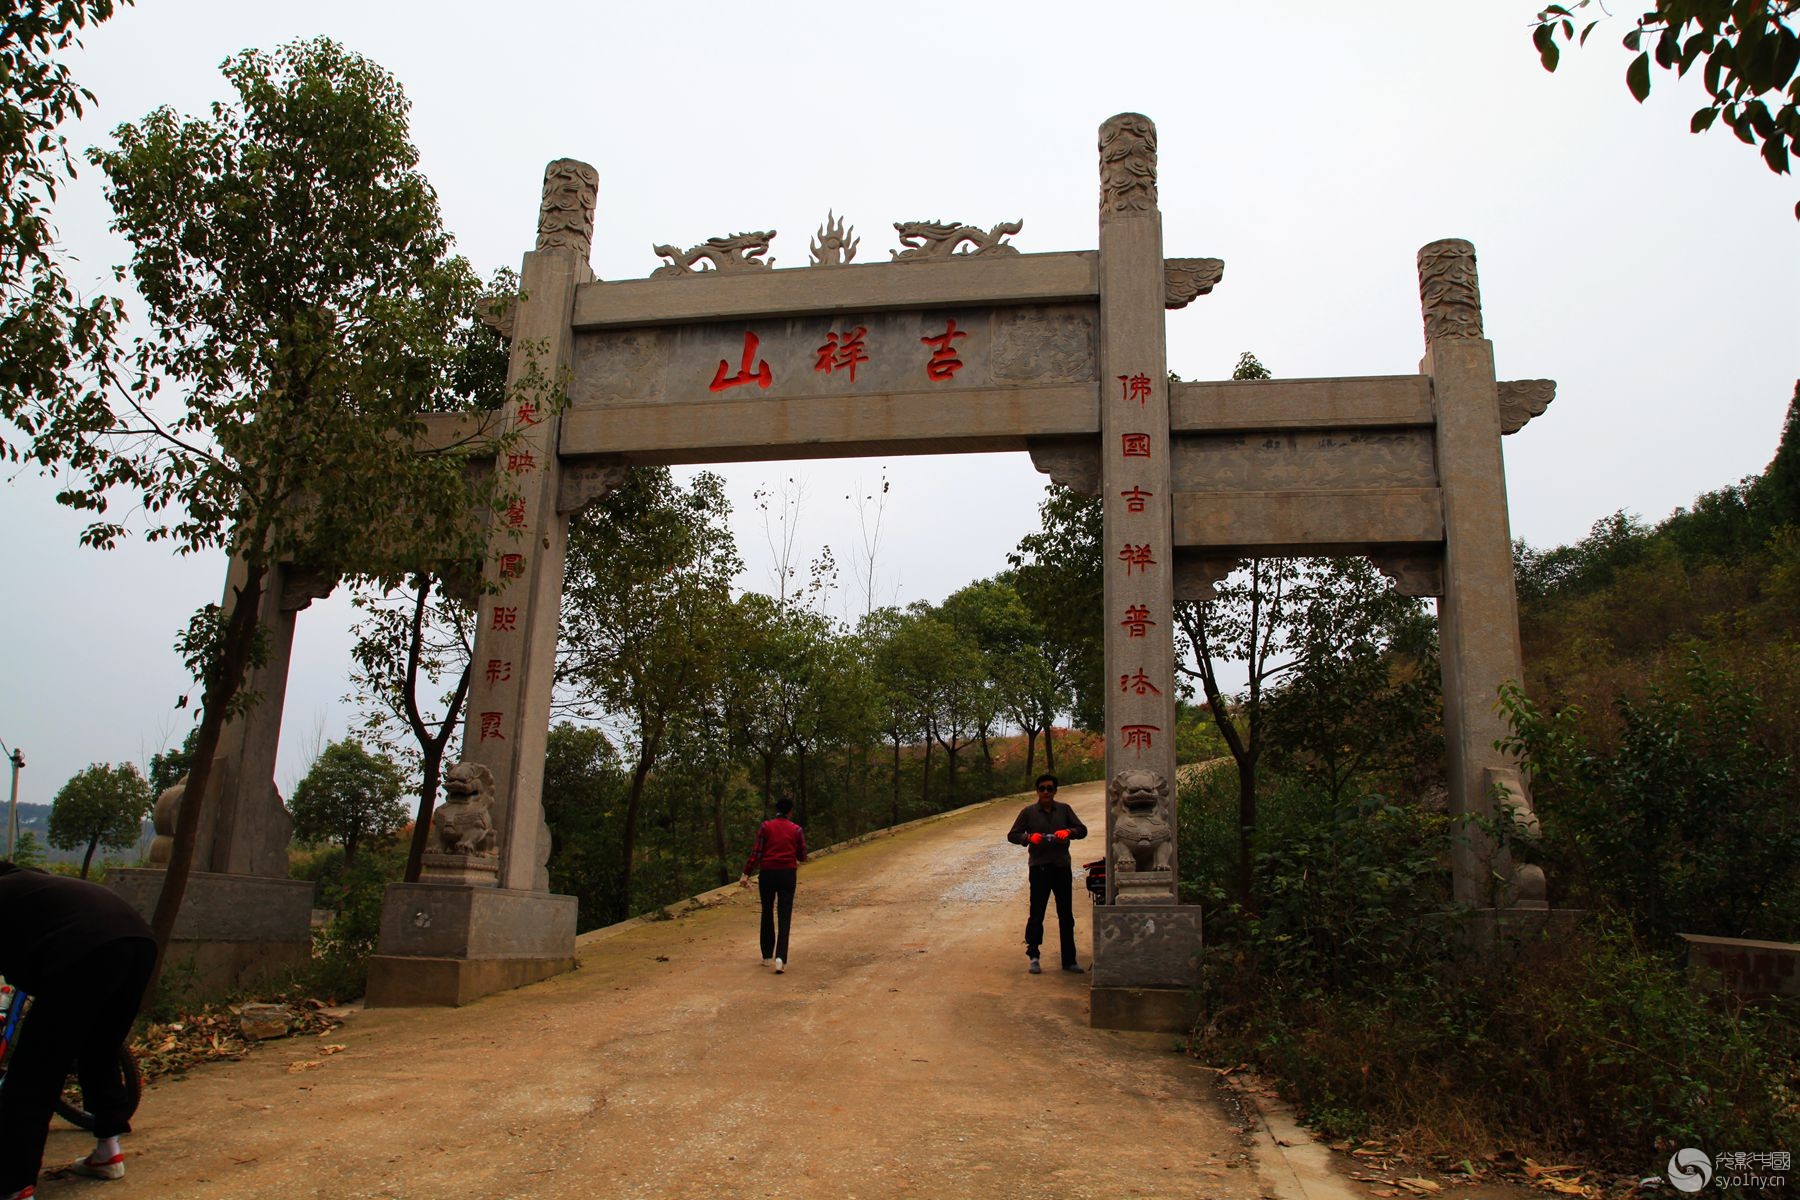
(449, 944)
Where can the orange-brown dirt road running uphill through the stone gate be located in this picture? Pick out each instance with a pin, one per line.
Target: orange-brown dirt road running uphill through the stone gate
(904, 1053)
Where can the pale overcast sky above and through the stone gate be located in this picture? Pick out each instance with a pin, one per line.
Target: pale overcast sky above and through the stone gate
(1313, 147)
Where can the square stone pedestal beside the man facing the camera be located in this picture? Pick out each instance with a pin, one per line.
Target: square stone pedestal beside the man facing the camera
(1147, 967)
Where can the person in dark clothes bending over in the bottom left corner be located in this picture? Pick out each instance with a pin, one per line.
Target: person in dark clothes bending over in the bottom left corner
(85, 958)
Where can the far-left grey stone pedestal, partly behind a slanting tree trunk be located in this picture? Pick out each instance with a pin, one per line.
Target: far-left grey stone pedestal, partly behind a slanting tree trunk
(233, 929)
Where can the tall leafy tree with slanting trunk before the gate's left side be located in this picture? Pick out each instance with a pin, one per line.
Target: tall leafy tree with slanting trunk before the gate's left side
(305, 305)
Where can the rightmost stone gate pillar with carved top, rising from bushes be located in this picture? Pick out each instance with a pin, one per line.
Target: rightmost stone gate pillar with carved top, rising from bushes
(1479, 614)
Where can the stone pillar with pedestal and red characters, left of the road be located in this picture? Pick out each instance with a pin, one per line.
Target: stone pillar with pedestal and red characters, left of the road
(458, 935)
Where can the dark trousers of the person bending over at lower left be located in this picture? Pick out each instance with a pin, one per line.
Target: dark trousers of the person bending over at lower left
(78, 1019)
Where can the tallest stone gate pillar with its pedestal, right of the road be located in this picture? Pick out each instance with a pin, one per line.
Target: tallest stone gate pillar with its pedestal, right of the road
(1146, 942)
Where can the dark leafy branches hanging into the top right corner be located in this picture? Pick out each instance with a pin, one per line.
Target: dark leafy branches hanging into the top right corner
(1747, 51)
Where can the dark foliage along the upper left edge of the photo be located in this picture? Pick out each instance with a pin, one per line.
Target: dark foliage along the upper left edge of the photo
(57, 348)
